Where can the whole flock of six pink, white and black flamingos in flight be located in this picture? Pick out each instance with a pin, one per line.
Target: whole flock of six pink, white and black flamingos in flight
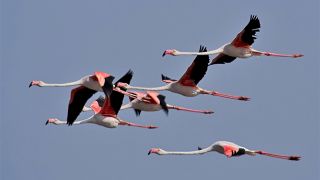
(106, 108)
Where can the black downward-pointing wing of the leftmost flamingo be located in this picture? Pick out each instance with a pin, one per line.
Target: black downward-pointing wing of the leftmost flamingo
(78, 99)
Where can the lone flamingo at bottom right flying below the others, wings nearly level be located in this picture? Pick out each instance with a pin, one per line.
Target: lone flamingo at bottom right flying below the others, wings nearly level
(229, 149)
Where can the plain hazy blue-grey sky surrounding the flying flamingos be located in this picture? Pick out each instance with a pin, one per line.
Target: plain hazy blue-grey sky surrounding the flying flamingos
(63, 40)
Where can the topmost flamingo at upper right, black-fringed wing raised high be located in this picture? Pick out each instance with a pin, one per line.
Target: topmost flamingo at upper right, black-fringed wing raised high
(240, 47)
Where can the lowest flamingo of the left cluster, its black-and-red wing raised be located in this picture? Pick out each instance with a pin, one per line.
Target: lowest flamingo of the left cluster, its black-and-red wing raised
(107, 116)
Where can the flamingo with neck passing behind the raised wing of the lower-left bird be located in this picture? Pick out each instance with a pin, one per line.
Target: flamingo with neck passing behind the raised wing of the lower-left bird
(140, 101)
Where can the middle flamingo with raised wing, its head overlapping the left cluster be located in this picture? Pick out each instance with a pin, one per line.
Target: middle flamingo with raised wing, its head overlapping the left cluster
(187, 85)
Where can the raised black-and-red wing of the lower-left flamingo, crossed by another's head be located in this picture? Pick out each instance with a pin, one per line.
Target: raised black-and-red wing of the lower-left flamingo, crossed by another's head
(112, 106)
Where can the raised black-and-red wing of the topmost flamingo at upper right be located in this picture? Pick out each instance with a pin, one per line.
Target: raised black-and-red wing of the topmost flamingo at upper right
(247, 36)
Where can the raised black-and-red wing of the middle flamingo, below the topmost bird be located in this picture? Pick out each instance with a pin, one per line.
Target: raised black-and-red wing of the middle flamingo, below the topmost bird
(196, 70)
